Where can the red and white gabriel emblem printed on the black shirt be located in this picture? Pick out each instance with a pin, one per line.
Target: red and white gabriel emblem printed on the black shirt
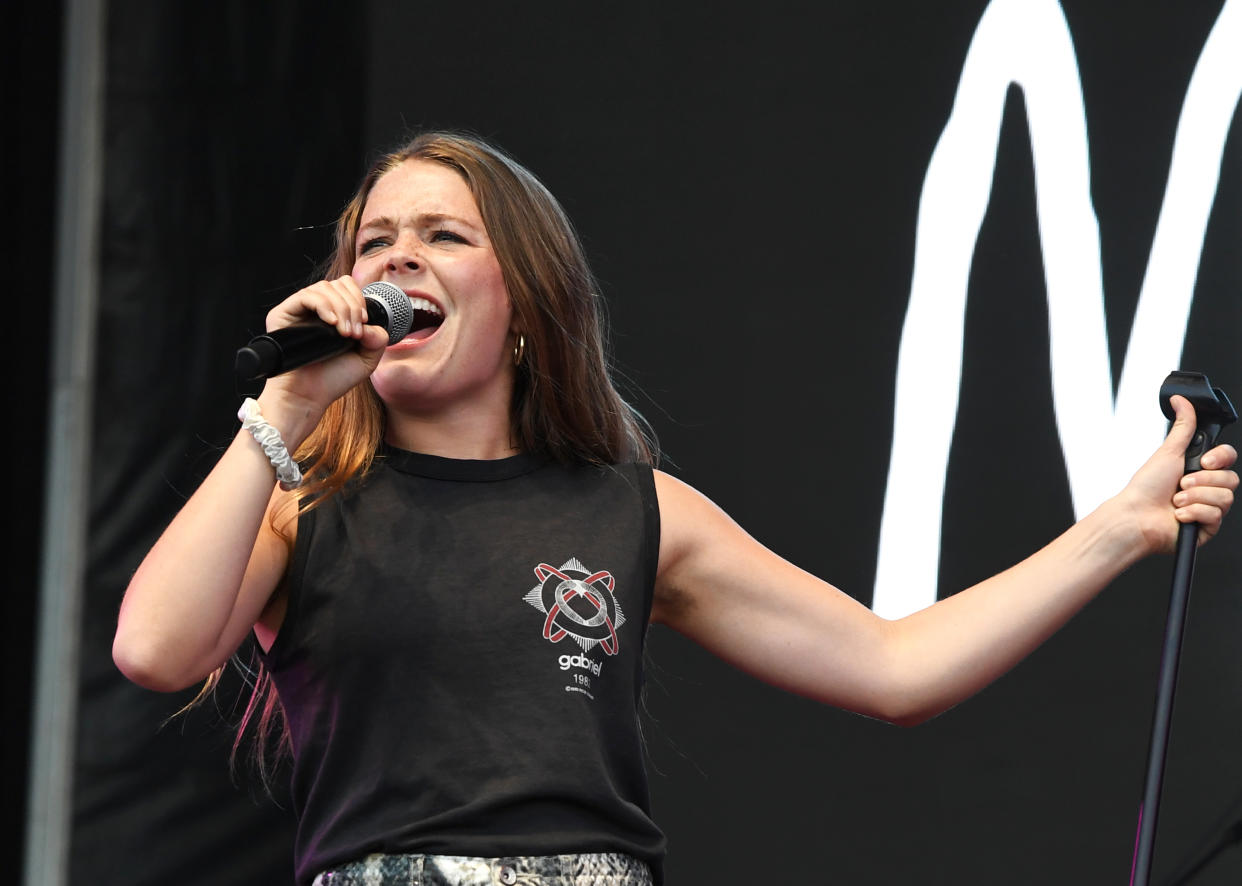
(578, 603)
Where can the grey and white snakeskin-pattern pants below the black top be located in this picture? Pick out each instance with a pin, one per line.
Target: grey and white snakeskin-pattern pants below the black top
(598, 869)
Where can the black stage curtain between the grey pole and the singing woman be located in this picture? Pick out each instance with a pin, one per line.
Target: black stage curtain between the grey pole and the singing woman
(232, 140)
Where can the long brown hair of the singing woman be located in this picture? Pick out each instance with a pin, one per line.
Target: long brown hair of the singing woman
(566, 404)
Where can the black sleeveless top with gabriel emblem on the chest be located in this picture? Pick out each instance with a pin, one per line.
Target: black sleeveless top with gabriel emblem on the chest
(461, 662)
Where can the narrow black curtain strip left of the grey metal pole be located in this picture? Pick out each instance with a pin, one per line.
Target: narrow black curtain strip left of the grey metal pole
(30, 79)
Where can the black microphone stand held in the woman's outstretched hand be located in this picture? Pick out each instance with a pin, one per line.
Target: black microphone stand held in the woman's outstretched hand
(1213, 412)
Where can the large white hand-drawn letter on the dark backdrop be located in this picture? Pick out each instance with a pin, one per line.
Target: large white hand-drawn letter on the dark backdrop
(1028, 43)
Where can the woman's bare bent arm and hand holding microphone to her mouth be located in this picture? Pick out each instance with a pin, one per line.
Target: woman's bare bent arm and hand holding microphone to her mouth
(213, 573)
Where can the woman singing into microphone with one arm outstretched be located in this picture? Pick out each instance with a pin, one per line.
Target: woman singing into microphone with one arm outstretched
(450, 549)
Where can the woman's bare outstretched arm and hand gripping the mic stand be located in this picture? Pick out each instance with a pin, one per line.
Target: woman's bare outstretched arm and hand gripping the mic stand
(728, 593)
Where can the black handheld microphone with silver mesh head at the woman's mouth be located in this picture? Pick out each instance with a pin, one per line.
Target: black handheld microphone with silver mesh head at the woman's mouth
(296, 346)
